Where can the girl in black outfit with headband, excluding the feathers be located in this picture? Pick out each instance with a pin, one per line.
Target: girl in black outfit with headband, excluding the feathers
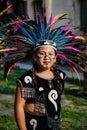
(38, 94)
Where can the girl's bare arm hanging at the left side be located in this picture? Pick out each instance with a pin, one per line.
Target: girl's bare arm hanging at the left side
(19, 109)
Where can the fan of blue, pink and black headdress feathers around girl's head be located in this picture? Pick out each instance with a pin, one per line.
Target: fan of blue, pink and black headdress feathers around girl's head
(19, 38)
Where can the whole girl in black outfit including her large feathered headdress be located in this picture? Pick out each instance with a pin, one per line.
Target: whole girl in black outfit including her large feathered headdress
(38, 93)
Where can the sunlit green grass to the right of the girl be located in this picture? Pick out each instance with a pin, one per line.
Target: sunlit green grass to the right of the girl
(74, 109)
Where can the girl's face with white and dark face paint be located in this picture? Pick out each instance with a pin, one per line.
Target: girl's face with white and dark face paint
(45, 57)
